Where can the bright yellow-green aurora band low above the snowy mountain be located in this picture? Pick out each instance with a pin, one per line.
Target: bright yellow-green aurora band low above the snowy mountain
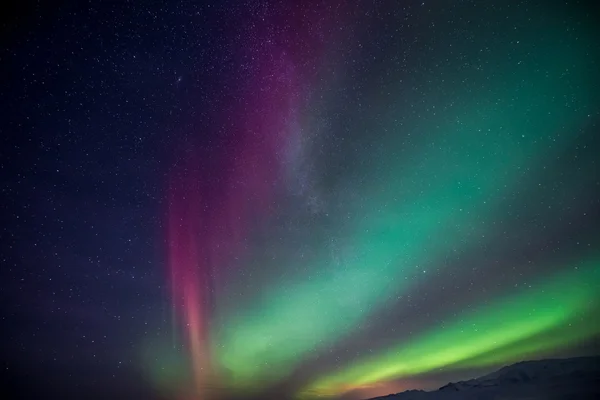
(502, 331)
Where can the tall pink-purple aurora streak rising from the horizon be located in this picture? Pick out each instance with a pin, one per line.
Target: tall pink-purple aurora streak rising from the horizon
(209, 208)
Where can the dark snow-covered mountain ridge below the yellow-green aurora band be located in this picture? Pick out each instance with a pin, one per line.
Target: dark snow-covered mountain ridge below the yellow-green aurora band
(556, 379)
